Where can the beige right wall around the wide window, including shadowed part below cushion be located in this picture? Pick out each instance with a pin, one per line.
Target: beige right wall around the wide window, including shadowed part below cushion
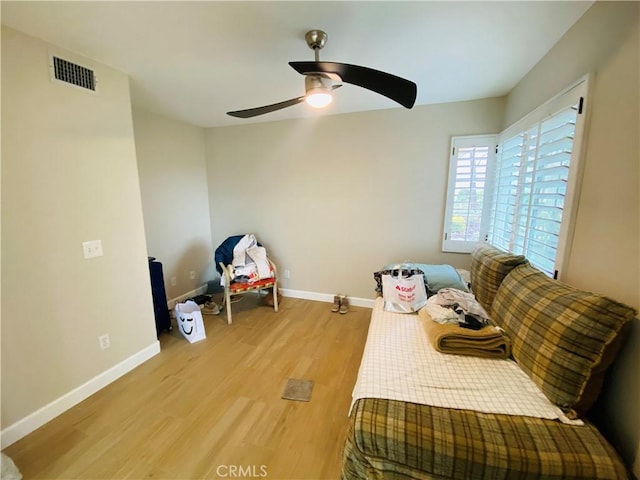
(605, 256)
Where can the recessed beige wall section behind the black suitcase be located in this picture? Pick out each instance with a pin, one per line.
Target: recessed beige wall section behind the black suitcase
(175, 199)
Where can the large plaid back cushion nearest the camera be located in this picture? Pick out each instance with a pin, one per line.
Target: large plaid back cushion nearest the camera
(562, 337)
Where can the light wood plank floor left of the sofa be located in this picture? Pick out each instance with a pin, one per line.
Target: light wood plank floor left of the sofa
(213, 409)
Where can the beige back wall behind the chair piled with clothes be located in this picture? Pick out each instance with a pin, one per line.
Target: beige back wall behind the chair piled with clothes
(336, 198)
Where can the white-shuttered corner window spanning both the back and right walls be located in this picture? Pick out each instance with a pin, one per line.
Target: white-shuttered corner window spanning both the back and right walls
(527, 188)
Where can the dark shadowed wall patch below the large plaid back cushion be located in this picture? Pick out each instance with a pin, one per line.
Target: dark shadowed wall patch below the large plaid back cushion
(622, 382)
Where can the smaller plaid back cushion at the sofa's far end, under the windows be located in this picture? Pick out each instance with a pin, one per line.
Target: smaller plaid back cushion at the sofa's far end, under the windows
(489, 267)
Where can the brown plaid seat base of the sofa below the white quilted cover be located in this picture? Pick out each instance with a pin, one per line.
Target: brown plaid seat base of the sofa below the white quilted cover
(400, 440)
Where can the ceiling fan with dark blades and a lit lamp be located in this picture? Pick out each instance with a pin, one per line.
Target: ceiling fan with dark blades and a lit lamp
(322, 78)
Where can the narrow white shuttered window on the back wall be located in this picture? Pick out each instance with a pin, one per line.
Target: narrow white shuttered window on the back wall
(466, 209)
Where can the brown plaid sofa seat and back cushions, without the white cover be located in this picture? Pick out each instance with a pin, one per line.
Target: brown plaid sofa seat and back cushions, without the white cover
(564, 339)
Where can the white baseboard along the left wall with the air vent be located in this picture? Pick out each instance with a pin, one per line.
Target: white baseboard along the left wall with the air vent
(31, 422)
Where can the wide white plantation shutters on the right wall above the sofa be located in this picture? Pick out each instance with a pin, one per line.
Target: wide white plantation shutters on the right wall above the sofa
(536, 174)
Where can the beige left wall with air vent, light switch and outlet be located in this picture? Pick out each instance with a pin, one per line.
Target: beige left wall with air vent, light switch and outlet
(69, 175)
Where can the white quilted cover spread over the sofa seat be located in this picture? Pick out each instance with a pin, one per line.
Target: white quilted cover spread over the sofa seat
(399, 363)
